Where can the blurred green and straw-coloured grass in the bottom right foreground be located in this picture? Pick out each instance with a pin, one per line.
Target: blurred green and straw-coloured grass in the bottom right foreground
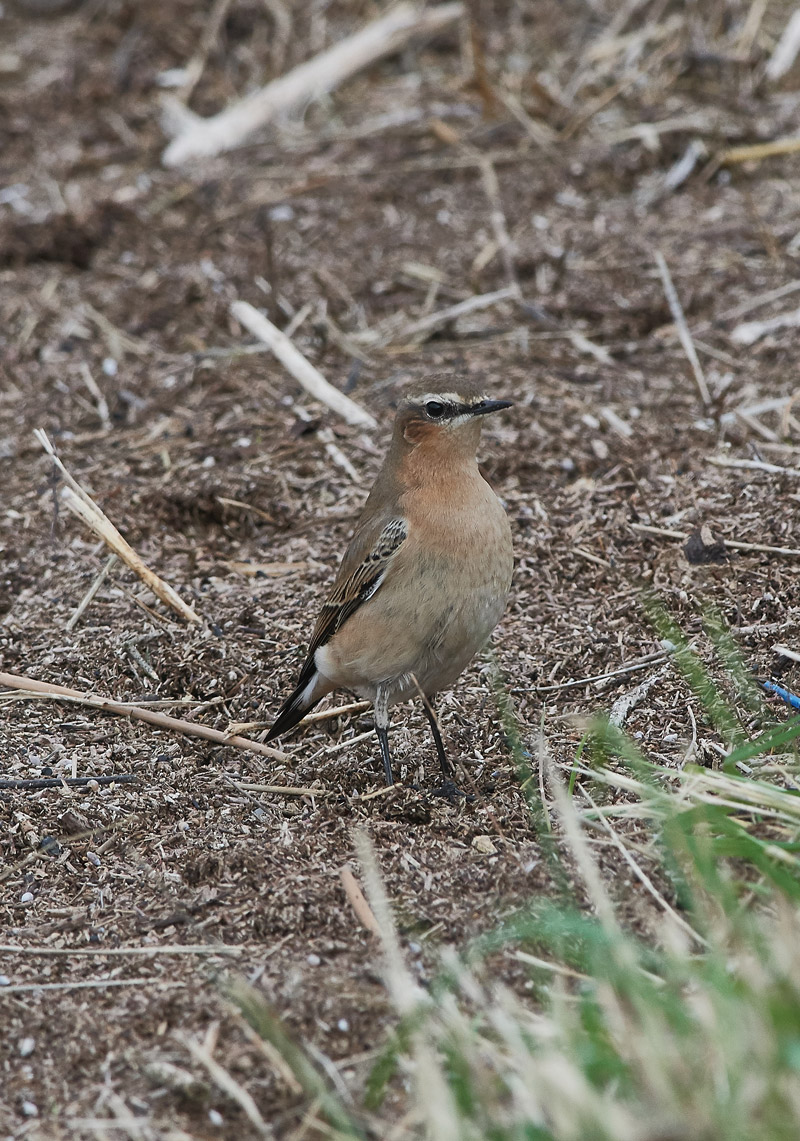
(697, 1037)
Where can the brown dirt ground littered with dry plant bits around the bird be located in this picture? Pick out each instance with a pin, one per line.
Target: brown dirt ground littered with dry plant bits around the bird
(116, 284)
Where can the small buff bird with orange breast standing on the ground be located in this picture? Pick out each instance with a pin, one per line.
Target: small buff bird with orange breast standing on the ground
(426, 576)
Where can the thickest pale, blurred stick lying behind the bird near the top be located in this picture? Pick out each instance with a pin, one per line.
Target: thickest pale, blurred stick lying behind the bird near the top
(309, 82)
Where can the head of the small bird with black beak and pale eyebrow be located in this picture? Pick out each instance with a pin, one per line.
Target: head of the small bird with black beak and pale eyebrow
(446, 411)
